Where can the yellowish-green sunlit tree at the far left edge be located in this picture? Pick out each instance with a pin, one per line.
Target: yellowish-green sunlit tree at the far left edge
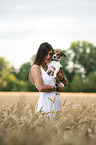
(8, 81)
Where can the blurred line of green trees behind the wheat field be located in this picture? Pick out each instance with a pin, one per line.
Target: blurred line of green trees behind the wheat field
(79, 67)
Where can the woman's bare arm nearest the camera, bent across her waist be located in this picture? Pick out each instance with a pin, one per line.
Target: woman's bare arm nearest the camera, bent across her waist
(36, 76)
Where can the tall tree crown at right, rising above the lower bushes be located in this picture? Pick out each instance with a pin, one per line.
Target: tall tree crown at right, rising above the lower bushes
(83, 56)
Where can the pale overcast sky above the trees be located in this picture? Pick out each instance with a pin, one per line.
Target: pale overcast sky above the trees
(25, 24)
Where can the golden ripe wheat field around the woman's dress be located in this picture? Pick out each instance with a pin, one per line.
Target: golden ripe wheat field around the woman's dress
(75, 124)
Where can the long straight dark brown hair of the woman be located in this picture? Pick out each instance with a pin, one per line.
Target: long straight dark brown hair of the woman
(42, 52)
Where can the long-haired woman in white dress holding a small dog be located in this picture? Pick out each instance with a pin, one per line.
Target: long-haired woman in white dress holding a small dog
(45, 83)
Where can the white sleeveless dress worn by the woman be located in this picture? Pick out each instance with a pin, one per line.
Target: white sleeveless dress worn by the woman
(45, 100)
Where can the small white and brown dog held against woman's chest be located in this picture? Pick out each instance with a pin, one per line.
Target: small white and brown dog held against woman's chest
(54, 66)
